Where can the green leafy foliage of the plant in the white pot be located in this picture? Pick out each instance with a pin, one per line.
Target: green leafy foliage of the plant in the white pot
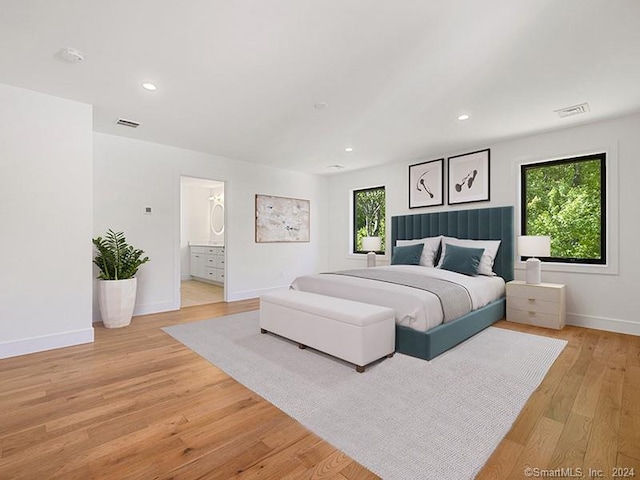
(116, 259)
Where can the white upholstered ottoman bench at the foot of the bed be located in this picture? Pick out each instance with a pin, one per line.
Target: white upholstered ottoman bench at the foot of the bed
(356, 332)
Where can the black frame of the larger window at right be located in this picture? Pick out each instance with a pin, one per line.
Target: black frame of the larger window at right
(602, 156)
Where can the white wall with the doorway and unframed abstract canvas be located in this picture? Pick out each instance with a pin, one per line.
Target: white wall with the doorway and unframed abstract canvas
(131, 174)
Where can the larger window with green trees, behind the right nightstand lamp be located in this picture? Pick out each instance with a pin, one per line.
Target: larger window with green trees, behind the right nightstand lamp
(565, 199)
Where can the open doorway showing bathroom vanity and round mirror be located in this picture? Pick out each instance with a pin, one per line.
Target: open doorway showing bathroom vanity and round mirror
(202, 241)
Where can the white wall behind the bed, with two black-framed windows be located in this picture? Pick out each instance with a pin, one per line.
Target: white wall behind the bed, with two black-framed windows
(602, 300)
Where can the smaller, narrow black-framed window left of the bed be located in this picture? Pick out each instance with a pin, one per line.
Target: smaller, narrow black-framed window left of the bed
(368, 216)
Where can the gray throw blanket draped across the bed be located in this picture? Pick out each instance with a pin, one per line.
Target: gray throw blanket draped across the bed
(454, 298)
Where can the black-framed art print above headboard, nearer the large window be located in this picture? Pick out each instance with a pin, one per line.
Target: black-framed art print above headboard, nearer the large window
(469, 177)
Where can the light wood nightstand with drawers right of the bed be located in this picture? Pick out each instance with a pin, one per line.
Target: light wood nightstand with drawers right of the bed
(539, 304)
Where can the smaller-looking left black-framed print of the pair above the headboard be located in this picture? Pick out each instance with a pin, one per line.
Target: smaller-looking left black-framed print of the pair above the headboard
(426, 184)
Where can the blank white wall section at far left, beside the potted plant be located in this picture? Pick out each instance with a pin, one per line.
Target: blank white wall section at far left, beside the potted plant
(45, 222)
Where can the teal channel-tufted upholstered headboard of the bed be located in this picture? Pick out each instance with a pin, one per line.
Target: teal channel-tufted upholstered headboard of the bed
(478, 224)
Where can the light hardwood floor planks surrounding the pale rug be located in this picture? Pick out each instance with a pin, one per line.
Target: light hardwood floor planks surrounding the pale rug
(136, 404)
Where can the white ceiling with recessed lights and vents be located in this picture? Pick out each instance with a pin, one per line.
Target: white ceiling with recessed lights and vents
(240, 78)
